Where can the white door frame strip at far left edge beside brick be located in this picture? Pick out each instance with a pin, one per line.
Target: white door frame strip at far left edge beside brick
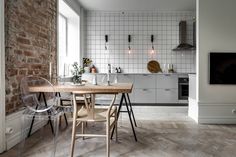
(2, 80)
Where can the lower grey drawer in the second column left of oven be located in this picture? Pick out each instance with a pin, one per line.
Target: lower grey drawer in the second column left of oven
(144, 95)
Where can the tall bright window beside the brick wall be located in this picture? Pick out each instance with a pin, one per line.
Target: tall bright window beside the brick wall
(68, 39)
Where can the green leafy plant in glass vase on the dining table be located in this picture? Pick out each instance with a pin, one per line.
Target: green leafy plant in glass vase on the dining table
(76, 72)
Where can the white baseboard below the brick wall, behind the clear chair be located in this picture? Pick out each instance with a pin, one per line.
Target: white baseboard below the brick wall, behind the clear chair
(13, 121)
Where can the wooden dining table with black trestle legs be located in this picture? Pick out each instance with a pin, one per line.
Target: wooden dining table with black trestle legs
(117, 88)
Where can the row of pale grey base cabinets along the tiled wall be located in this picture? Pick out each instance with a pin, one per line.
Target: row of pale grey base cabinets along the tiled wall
(148, 88)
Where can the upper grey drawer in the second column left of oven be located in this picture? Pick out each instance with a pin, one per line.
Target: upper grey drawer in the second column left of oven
(144, 81)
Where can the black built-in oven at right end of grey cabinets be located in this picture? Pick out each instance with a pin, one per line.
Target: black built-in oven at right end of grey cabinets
(183, 88)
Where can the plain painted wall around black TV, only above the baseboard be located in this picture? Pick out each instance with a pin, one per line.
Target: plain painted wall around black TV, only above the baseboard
(217, 32)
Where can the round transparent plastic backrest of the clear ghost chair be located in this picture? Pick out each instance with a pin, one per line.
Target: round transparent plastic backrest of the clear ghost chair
(37, 101)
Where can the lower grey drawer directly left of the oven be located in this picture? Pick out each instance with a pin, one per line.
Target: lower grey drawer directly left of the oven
(166, 95)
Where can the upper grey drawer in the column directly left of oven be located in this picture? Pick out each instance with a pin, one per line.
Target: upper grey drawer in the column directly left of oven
(167, 81)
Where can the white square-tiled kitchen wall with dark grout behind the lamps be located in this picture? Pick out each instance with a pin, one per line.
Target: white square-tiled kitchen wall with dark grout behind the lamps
(140, 25)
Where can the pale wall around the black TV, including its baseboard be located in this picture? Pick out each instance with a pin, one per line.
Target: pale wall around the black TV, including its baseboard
(217, 32)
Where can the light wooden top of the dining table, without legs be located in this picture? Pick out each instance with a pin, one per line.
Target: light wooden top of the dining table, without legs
(87, 88)
